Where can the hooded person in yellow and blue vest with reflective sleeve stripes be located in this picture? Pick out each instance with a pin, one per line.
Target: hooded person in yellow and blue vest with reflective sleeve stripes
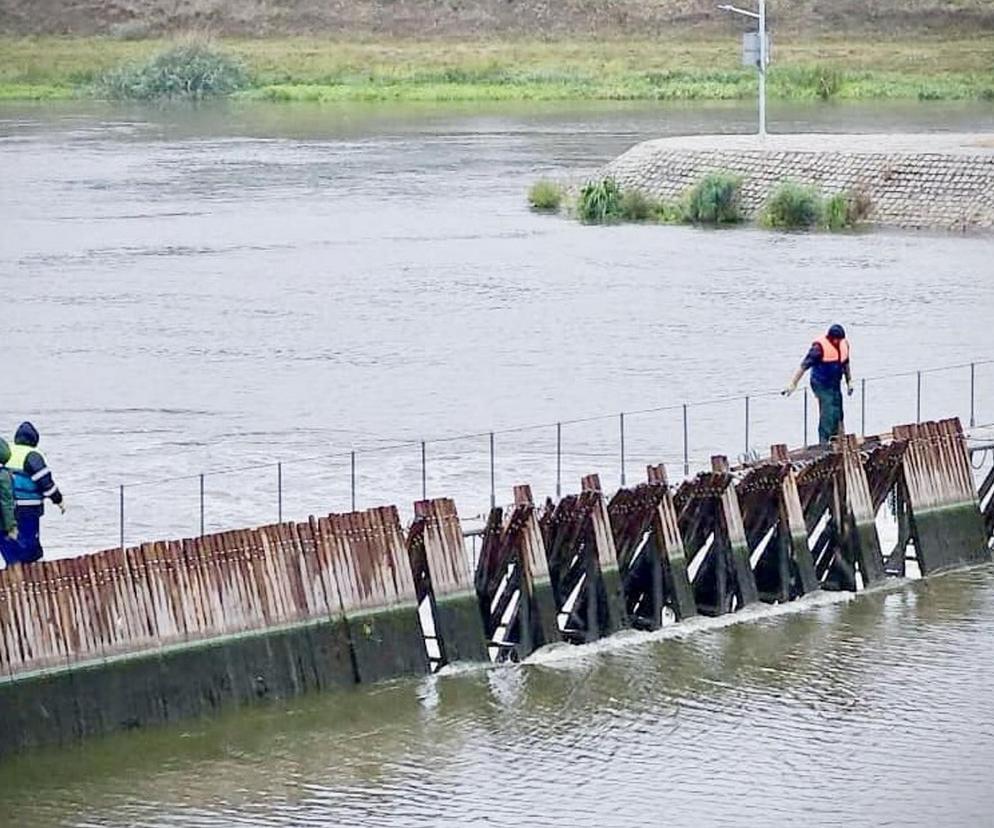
(33, 484)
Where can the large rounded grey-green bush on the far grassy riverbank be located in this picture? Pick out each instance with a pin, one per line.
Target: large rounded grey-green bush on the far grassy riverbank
(191, 71)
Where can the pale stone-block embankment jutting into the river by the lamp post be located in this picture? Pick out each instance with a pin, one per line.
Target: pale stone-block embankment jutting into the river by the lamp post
(940, 181)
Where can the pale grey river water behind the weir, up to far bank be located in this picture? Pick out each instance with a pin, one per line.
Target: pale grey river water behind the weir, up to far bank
(198, 290)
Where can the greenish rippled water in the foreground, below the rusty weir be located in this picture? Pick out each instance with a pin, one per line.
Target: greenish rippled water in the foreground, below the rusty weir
(890, 676)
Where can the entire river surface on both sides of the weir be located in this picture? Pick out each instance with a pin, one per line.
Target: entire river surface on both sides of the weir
(197, 290)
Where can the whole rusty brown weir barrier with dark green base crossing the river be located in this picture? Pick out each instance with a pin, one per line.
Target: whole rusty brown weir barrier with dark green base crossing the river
(167, 630)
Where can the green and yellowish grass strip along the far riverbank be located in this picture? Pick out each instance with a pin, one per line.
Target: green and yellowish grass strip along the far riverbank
(323, 70)
